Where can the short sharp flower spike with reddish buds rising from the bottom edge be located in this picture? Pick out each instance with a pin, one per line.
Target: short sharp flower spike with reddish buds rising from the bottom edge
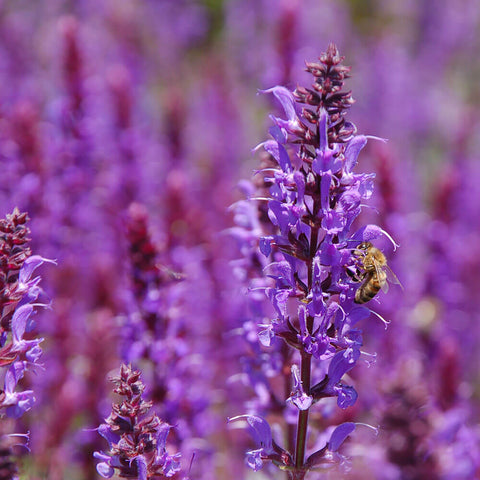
(137, 439)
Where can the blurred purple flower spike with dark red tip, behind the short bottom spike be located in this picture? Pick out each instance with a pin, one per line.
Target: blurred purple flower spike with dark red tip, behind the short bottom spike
(159, 336)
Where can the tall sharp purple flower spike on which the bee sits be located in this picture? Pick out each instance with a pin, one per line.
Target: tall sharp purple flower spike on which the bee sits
(314, 199)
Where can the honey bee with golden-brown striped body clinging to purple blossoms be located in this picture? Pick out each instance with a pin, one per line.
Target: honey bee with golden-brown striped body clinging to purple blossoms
(375, 272)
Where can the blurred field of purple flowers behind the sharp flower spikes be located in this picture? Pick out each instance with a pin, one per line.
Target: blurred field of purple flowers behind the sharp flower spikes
(129, 124)
